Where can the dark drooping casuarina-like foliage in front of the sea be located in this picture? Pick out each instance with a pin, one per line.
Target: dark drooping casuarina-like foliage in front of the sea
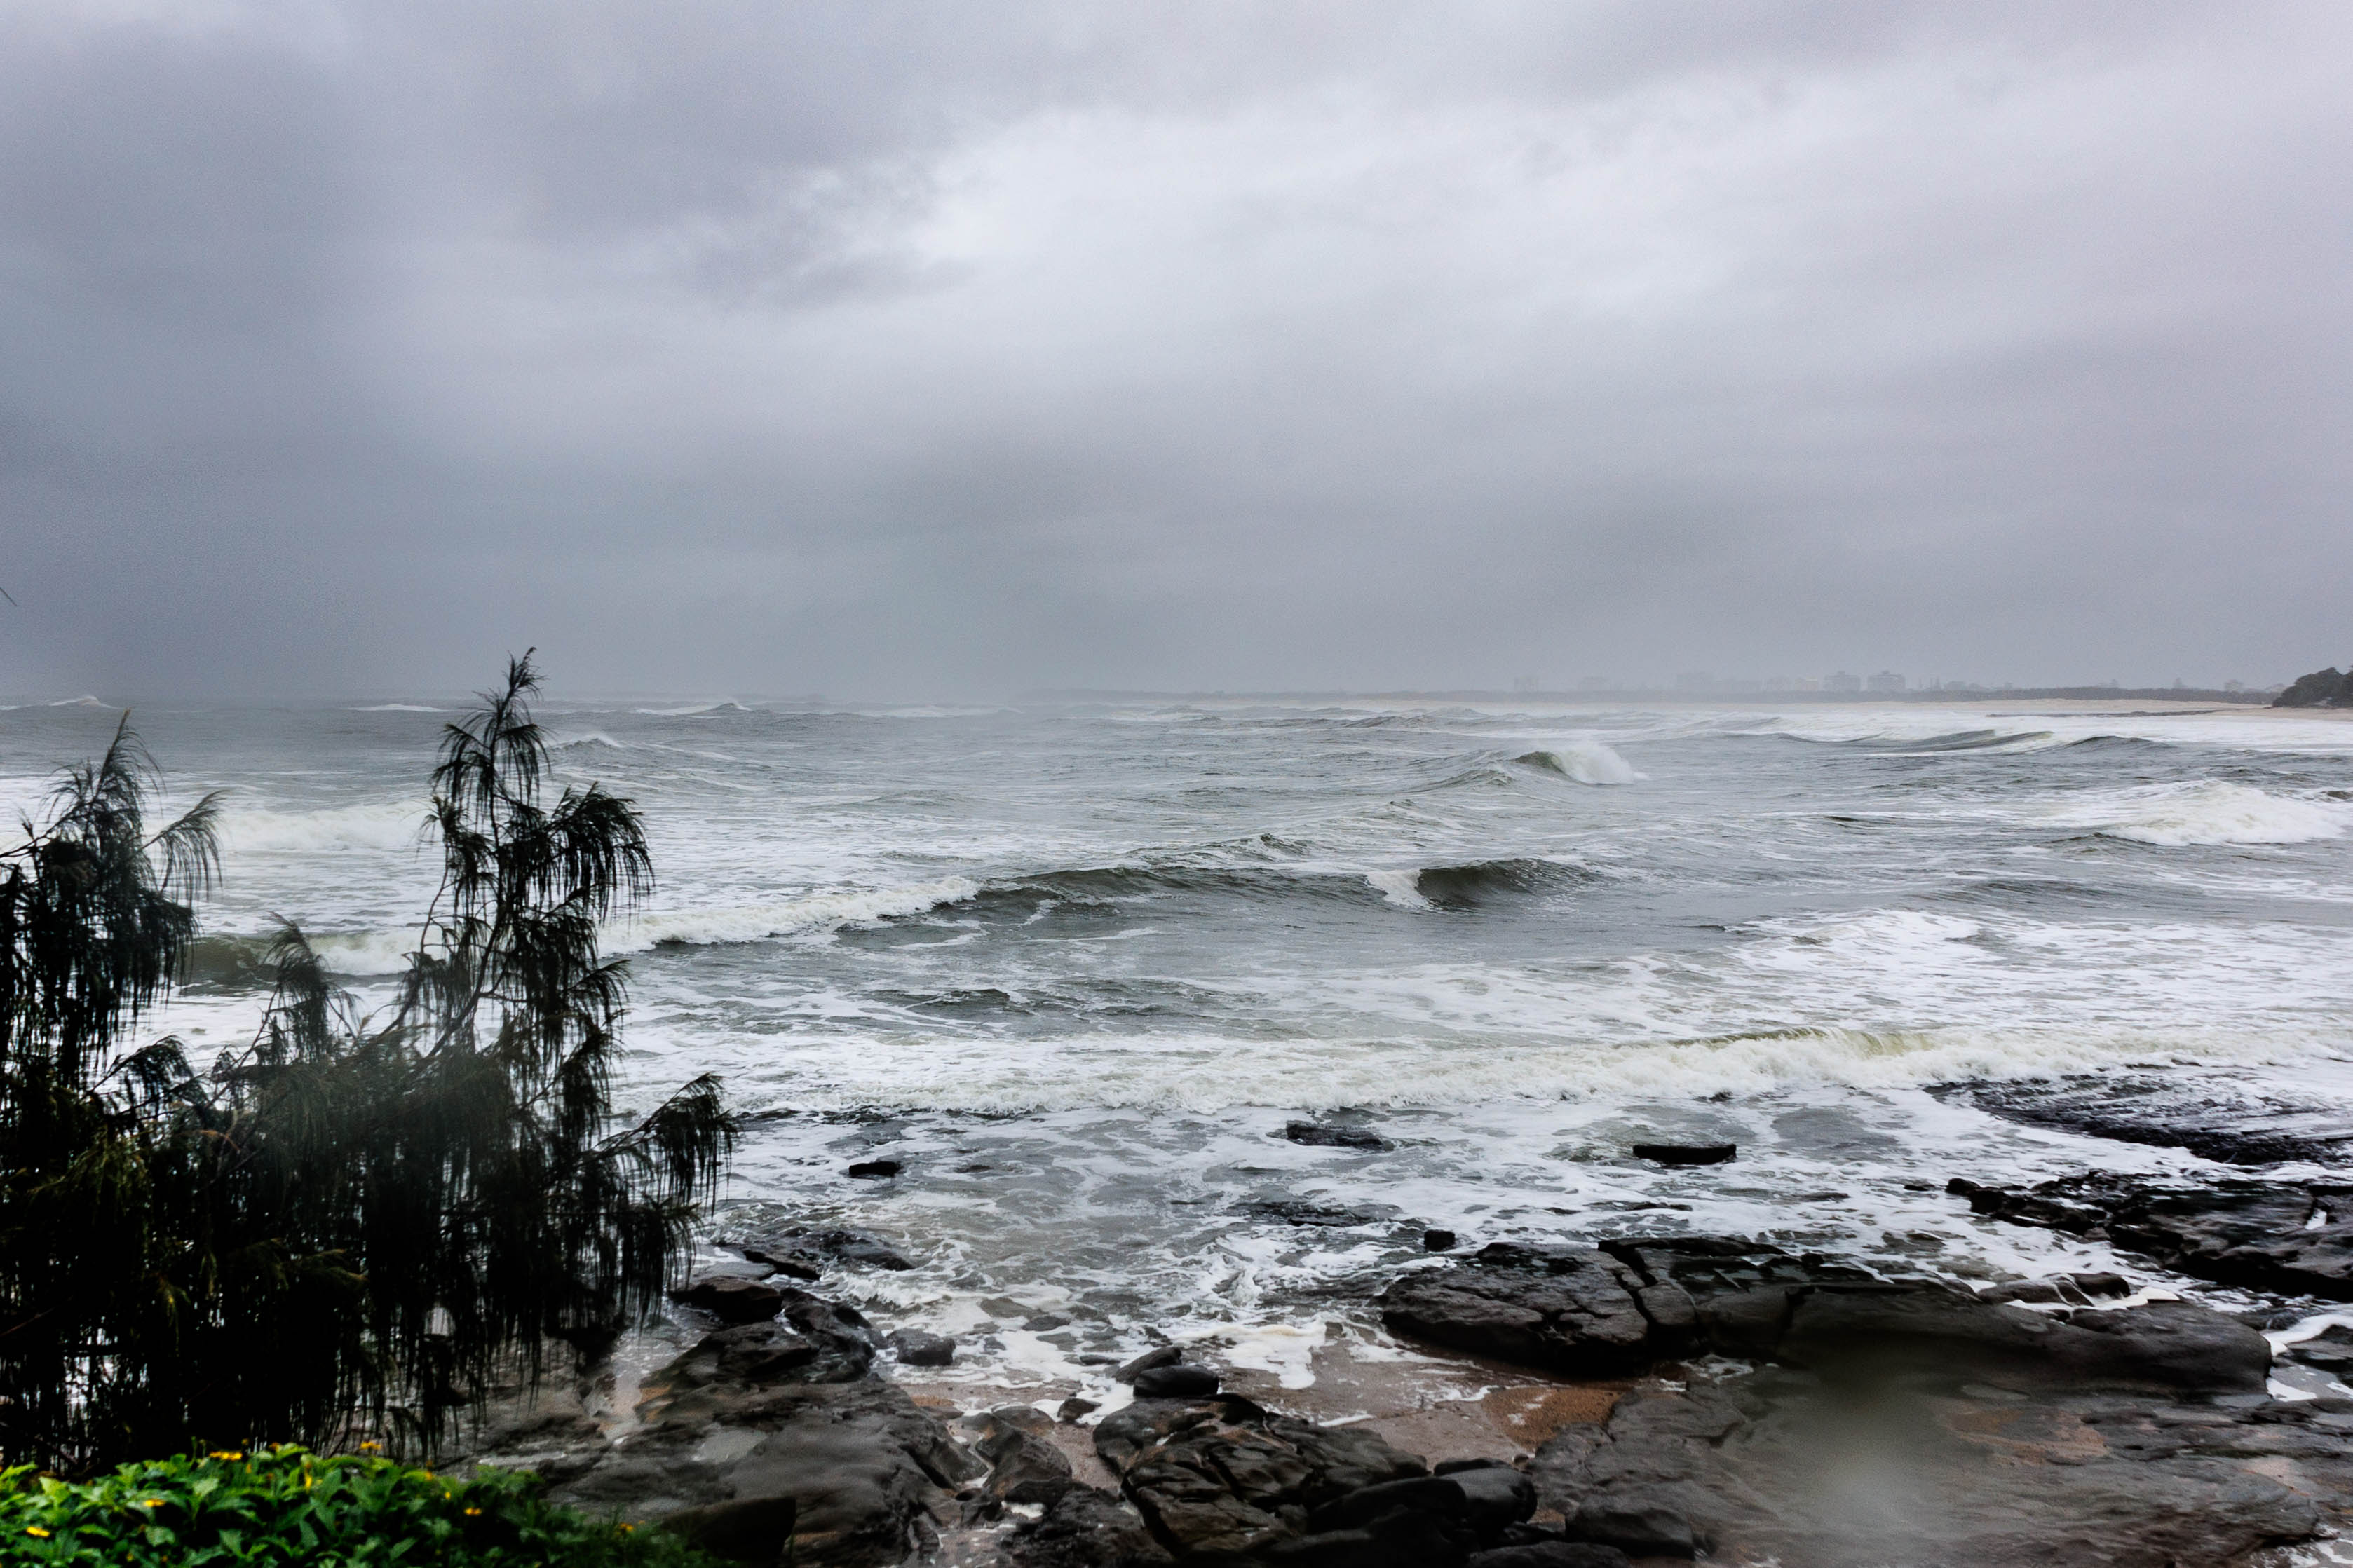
(356, 1221)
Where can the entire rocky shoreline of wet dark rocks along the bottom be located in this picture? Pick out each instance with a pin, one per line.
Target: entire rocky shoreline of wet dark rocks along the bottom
(1705, 1398)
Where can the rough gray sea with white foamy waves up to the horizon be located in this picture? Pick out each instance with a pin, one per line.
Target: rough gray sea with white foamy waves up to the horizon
(1079, 965)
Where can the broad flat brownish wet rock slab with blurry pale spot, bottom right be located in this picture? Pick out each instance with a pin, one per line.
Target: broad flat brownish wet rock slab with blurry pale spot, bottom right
(1825, 1475)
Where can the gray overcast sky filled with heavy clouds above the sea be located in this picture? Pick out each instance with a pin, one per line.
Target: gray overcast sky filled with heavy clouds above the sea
(964, 349)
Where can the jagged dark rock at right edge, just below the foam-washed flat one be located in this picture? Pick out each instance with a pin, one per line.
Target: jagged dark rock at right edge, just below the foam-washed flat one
(2284, 1238)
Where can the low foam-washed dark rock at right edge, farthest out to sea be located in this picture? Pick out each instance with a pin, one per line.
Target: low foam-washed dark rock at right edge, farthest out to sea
(2201, 1115)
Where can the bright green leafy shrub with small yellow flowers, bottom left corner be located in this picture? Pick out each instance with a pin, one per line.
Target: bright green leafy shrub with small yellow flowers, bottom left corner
(291, 1506)
